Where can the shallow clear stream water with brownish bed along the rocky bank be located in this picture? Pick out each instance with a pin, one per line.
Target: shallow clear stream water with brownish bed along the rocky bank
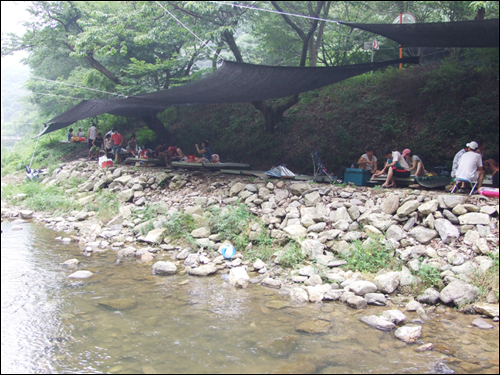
(182, 324)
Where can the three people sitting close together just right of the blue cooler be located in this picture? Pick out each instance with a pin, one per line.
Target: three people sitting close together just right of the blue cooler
(397, 164)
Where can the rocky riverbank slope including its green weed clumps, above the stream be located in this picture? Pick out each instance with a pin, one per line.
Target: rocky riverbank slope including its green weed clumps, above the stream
(316, 243)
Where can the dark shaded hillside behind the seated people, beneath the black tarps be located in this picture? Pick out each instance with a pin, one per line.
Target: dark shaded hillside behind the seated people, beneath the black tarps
(432, 109)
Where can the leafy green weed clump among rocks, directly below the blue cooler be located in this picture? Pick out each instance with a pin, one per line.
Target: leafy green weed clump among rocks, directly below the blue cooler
(369, 257)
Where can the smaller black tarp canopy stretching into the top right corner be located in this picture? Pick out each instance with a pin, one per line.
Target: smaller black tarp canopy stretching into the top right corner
(475, 34)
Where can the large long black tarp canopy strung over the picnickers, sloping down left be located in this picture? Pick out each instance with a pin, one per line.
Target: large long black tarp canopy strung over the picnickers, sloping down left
(232, 83)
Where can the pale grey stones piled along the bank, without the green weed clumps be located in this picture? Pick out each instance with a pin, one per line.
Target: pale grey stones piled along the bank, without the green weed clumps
(452, 233)
